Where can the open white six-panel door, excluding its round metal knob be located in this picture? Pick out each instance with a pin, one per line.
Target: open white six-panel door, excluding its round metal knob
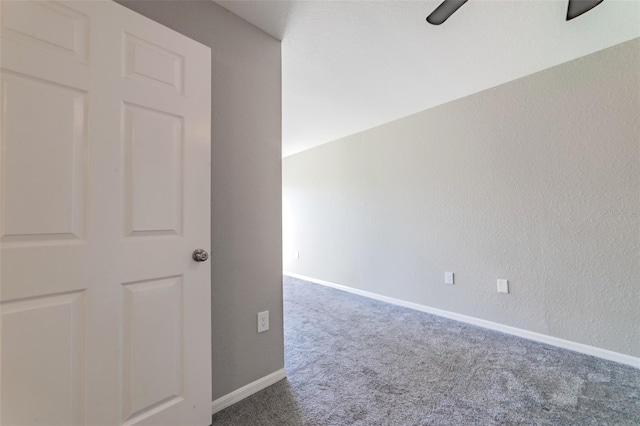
(105, 186)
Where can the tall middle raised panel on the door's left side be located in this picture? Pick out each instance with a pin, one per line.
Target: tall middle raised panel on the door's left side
(43, 164)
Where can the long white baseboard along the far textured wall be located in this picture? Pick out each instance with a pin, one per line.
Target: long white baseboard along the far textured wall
(531, 335)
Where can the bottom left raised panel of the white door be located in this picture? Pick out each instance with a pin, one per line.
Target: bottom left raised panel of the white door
(43, 360)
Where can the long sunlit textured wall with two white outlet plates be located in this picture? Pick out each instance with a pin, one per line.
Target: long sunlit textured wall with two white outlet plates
(536, 181)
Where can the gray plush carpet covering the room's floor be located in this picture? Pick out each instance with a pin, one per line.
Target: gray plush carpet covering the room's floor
(355, 361)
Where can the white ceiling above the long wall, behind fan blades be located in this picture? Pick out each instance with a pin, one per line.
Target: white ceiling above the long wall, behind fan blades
(351, 65)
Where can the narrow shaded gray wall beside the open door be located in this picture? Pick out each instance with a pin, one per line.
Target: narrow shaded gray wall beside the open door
(246, 207)
